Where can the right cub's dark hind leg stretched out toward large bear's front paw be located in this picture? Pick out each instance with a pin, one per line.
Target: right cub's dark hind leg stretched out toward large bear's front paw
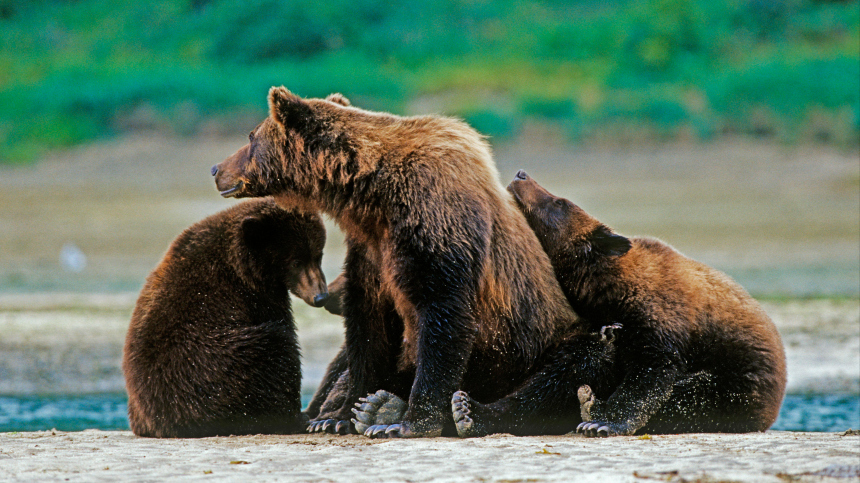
(546, 403)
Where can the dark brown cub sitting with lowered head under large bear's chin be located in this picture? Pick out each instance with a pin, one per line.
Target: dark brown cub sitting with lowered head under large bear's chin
(211, 348)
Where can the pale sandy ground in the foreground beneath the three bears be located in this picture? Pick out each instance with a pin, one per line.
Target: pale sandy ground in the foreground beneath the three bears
(120, 456)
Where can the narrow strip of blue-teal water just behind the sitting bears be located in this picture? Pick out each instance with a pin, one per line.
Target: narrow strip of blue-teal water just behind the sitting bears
(108, 412)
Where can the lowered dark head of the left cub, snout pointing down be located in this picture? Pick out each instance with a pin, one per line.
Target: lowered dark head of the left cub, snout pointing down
(278, 251)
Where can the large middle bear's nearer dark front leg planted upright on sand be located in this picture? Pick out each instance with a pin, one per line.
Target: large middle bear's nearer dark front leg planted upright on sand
(438, 274)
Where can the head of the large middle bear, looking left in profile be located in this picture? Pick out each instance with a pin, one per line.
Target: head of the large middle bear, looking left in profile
(284, 152)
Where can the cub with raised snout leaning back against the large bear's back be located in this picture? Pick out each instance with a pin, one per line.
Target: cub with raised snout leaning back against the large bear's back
(693, 352)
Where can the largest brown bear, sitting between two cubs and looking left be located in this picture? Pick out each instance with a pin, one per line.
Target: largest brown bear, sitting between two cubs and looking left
(445, 281)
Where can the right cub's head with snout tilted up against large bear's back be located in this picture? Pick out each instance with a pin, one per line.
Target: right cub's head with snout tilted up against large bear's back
(564, 229)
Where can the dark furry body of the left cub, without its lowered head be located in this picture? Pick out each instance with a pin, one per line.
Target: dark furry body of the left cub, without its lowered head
(203, 345)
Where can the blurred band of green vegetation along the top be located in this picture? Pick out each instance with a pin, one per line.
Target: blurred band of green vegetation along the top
(74, 71)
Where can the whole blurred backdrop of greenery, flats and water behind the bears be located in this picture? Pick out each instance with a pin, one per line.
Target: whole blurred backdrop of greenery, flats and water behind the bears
(728, 128)
